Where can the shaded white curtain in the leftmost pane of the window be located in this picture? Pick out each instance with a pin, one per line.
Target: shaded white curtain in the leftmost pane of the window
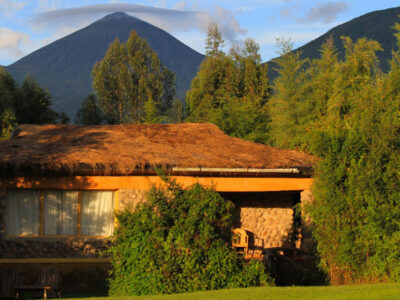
(23, 212)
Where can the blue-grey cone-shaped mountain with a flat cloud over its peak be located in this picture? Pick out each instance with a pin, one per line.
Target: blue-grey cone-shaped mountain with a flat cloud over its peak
(64, 66)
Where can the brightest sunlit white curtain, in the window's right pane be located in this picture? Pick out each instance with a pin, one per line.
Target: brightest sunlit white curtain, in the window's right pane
(97, 211)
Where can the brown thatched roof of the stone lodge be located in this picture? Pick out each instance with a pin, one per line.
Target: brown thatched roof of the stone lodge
(126, 149)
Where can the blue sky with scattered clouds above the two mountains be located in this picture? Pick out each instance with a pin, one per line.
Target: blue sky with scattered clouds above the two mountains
(27, 25)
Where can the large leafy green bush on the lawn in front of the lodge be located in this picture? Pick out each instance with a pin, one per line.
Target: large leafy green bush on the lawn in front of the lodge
(179, 241)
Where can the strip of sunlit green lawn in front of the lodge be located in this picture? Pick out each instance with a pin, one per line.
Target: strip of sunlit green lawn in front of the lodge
(370, 291)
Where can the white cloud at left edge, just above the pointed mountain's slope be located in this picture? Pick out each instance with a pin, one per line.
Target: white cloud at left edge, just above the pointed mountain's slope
(13, 44)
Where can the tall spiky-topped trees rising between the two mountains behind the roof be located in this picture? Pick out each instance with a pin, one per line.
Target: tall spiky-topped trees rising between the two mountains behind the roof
(230, 90)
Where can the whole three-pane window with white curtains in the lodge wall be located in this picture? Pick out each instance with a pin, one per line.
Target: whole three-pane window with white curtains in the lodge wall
(60, 213)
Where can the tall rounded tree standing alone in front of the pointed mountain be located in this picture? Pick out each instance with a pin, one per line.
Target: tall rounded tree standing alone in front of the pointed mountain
(129, 75)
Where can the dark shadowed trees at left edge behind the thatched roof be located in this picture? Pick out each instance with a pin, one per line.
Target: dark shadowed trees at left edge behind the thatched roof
(26, 104)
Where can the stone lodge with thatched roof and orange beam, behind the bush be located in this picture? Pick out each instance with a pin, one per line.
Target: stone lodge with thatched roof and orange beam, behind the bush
(61, 185)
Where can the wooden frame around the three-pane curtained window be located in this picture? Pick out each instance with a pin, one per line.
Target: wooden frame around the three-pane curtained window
(41, 234)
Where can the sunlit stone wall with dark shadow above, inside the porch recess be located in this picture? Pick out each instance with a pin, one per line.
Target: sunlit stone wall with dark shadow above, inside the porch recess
(268, 216)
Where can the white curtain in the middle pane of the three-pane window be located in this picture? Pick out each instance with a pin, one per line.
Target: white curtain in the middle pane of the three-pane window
(60, 212)
